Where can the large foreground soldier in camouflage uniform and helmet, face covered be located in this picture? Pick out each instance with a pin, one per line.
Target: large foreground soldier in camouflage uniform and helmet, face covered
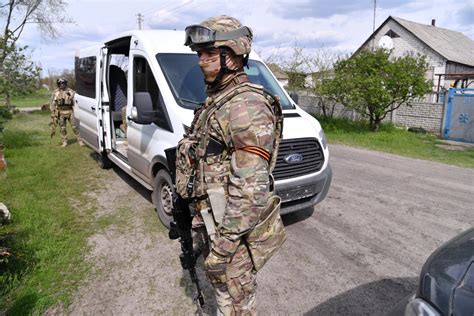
(231, 141)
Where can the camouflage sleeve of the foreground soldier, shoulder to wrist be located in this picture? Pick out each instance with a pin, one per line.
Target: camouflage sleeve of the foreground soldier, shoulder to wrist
(251, 124)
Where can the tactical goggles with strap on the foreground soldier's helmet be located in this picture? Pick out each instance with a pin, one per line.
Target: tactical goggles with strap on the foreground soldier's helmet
(198, 34)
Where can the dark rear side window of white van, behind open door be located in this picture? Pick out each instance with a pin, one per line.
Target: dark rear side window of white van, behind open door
(85, 76)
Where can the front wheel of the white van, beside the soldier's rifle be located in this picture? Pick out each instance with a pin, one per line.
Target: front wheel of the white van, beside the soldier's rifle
(162, 196)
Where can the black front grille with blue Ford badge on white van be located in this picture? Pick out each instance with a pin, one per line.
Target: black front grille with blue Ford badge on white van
(308, 149)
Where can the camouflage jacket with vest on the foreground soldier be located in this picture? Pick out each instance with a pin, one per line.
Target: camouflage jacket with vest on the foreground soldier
(237, 132)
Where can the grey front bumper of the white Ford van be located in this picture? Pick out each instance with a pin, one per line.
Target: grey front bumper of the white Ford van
(304, 193)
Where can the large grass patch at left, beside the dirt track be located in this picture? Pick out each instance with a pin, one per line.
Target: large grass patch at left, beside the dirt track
(47, 236)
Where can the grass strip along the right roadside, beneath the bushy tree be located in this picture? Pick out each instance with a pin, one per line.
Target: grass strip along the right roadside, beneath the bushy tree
(394, 140)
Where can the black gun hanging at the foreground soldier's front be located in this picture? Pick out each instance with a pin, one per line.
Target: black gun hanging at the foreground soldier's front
(181, 227)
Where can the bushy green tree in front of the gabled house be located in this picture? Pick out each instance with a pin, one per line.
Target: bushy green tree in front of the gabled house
(374, 84)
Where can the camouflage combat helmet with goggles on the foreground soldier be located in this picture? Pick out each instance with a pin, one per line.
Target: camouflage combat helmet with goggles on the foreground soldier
(220, 31)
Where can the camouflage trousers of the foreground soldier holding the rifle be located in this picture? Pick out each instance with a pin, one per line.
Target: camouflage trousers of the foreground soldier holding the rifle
(237, 296)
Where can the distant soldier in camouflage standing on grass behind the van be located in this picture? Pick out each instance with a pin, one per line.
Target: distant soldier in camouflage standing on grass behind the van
(62, 106)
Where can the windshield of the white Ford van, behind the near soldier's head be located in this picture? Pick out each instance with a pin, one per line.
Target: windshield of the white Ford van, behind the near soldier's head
(187, 81)
